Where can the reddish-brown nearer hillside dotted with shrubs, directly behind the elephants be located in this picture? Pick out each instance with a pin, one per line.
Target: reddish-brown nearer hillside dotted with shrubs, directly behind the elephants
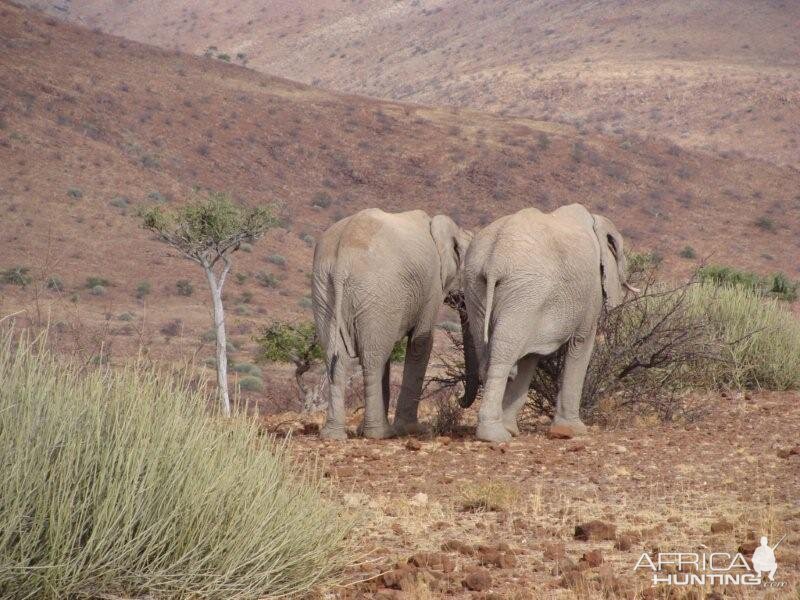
(94, 126)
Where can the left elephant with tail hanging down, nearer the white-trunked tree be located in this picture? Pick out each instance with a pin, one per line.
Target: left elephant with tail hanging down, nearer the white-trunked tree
(379, 277)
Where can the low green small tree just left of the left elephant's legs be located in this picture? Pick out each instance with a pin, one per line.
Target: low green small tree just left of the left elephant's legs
(295, 344)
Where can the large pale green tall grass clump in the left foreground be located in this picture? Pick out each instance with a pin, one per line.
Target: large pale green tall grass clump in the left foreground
(117, 483)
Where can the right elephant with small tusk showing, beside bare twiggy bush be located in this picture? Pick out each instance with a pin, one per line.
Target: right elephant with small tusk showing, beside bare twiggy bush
(535, 282)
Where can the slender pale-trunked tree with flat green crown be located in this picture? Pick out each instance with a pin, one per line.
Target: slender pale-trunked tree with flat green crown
(208, 232)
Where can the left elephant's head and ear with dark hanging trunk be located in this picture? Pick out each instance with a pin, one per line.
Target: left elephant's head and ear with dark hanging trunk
(452, 243)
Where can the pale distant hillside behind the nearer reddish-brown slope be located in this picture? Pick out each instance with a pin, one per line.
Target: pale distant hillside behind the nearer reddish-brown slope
(718, 75)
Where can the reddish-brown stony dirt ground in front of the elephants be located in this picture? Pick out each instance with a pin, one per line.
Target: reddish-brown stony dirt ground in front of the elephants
(455, 517)
